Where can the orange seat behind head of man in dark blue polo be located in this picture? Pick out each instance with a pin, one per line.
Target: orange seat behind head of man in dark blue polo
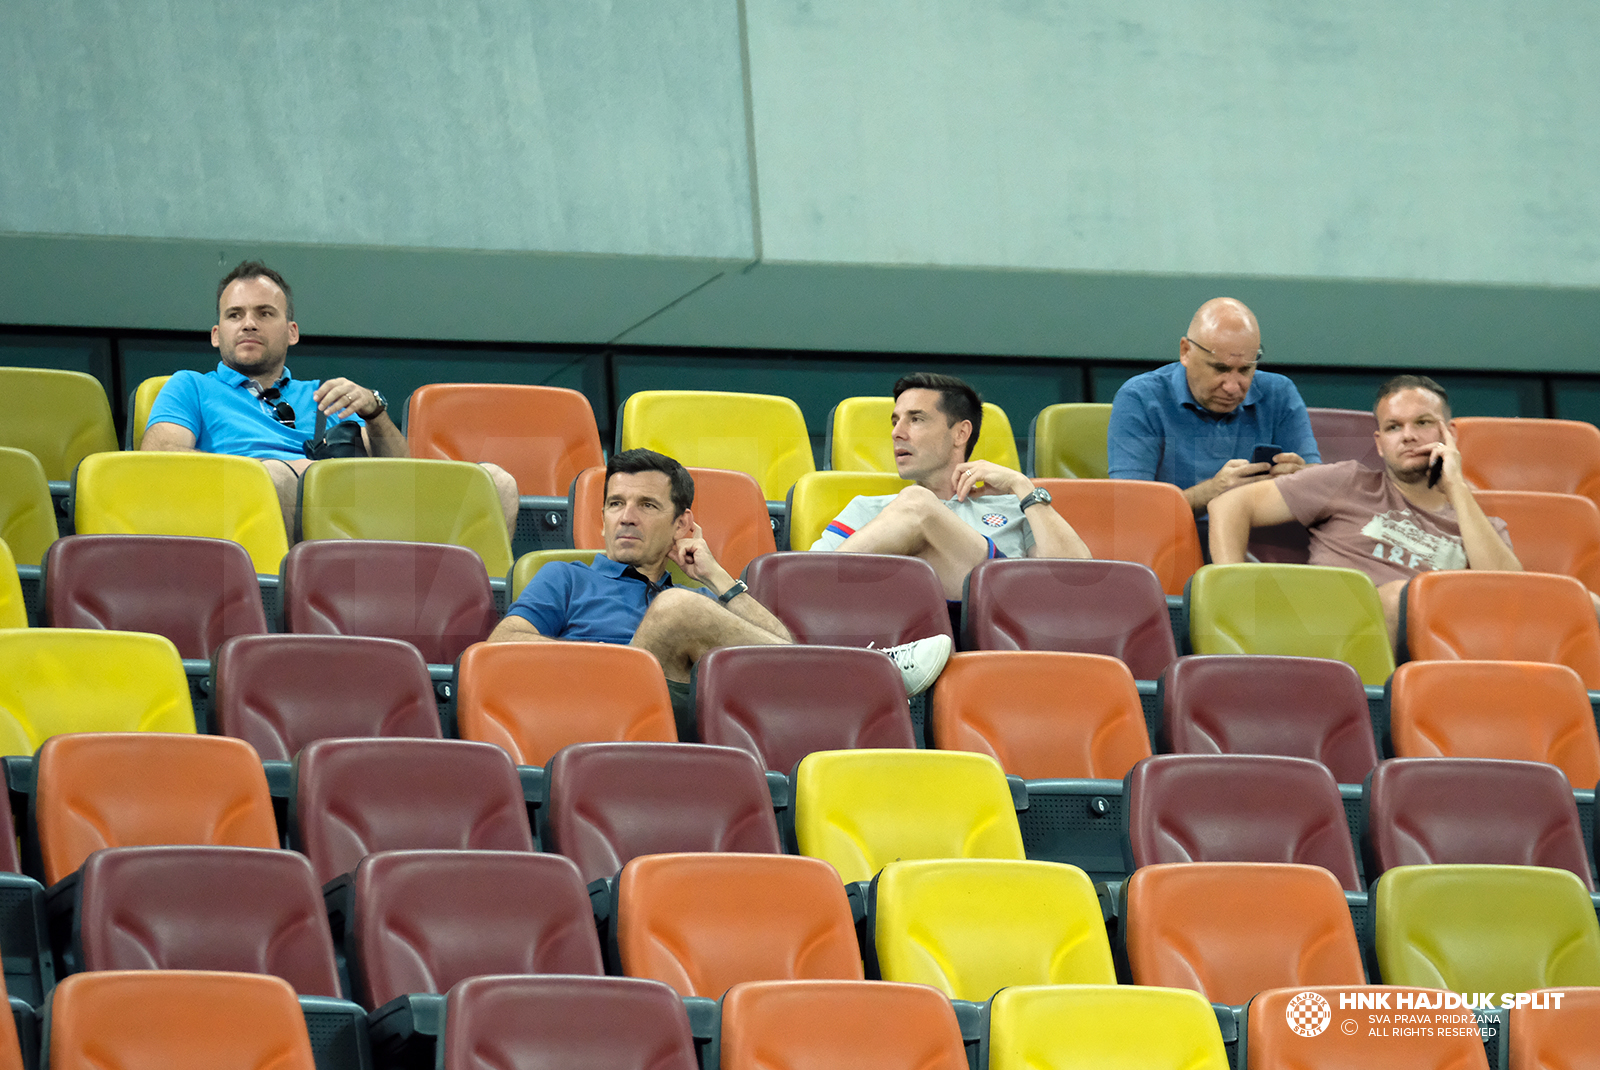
(729, 509)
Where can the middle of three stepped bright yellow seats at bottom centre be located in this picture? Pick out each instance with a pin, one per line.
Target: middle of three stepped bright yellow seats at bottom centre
(974, 927)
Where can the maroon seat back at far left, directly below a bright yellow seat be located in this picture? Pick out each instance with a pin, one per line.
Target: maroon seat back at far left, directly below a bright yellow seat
(196, 593)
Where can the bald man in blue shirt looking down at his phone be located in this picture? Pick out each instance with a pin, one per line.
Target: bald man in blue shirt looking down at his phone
(1196, 423)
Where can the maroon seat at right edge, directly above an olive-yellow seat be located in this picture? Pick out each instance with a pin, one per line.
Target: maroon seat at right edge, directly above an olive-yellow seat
(1473, 810)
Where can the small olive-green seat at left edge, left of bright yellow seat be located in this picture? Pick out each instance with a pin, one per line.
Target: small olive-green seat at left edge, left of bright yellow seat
(58, 417)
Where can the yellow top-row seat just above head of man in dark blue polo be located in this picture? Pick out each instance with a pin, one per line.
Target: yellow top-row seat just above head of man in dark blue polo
(759, 434)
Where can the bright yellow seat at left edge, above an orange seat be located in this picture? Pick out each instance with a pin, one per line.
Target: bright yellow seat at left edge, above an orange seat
(82, 681)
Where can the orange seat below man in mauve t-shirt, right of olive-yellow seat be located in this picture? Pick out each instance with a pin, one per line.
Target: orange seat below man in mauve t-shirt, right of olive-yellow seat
(1503, 617)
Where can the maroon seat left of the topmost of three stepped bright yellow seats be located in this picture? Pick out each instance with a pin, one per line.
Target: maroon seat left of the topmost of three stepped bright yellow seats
(610, 804)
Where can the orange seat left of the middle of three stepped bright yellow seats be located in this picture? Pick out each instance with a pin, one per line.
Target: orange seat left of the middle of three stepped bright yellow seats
(708, 922)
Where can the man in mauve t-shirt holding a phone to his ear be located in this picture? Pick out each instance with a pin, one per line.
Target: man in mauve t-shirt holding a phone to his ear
(1391, 524)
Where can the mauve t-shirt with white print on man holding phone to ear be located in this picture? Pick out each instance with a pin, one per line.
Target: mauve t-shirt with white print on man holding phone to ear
(1359, 519)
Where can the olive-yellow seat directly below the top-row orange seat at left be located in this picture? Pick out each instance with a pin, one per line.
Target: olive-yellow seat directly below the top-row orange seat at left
(407, 501)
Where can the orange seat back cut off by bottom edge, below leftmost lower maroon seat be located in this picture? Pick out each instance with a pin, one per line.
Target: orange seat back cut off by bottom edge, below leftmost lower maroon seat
(177, 1020)
